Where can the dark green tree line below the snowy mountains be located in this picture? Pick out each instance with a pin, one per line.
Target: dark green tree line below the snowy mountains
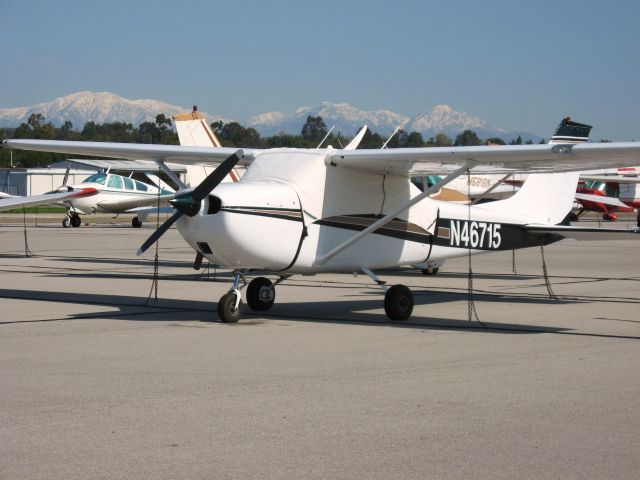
(231, 134)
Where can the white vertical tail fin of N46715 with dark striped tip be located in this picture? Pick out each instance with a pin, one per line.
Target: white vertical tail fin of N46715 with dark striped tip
(548, 197)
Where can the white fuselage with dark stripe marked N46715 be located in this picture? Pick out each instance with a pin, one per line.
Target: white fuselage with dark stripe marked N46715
(290, 208)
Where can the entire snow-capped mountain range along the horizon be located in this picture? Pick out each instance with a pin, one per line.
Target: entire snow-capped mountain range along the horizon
(102, 107)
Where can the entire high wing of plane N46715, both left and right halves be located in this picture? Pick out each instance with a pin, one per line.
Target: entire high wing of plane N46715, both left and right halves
(402, 161)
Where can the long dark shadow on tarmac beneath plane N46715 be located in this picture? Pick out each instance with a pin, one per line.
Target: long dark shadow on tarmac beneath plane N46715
(342, 312)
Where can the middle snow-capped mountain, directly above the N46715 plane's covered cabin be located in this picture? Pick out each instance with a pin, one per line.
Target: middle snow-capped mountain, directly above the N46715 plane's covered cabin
(347, 119)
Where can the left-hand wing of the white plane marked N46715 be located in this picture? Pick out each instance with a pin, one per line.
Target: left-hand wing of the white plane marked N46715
(134, 151)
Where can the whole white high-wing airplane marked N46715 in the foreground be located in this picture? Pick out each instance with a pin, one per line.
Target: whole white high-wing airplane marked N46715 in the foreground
(306, 211)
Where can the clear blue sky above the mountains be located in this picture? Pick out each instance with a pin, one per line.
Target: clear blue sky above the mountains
(520, 65)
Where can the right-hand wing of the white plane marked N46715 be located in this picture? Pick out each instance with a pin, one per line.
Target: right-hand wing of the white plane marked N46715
(490, 159)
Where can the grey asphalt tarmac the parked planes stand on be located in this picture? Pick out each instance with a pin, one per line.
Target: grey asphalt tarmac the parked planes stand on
(97, 381)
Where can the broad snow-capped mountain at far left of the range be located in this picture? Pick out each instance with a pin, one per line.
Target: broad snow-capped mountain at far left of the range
(99, 107)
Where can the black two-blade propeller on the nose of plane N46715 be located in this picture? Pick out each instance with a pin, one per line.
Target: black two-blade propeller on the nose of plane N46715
(188, 202)
